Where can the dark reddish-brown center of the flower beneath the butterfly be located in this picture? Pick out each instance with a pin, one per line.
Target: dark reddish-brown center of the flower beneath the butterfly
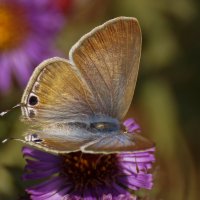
(89, 170)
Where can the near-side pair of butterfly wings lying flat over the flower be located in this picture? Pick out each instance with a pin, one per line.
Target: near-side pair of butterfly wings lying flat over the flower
(69, 139)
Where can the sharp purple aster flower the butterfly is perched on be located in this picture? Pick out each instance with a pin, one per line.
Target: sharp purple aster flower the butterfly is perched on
(78, 175)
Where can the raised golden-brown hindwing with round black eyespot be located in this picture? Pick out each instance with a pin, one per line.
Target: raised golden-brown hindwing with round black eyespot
(61, 94)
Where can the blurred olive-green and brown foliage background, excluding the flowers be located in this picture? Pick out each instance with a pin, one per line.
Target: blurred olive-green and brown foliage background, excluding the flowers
(166, 101)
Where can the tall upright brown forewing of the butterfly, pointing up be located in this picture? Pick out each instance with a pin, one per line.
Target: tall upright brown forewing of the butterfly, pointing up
(108, 59)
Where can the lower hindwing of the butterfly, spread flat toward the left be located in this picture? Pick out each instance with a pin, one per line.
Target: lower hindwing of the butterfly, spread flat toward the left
(60, 138)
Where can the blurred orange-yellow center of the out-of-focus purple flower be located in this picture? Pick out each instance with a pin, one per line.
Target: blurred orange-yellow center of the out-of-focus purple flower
(13, 26)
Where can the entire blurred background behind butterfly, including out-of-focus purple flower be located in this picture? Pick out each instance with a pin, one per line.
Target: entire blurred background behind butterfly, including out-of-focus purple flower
(166, 100)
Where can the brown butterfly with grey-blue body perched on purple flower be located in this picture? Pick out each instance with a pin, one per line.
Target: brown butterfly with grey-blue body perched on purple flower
(78, 104)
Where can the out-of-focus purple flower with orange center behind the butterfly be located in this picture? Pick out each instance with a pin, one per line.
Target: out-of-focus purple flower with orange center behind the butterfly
(27, 33)
